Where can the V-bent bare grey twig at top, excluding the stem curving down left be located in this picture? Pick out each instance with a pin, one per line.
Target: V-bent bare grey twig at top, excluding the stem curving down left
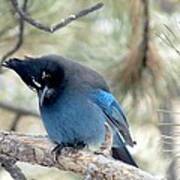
(61, 24)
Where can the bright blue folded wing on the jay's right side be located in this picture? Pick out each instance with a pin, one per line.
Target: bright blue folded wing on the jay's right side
(114, 113)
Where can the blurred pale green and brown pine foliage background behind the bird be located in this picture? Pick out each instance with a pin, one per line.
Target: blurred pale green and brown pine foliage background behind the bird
(134, 44)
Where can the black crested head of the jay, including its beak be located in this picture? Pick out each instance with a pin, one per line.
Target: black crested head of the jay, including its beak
(45, 75)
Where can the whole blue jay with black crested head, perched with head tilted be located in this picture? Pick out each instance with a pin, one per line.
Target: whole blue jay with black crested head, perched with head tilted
(76, 104)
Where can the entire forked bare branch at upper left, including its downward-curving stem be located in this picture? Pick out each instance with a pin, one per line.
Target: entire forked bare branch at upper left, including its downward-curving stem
(24, 16)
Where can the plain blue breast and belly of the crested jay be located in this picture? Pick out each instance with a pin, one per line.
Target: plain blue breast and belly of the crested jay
(74, 118)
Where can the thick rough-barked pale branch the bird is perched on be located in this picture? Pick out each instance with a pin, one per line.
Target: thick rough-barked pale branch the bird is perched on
(38, 150)
